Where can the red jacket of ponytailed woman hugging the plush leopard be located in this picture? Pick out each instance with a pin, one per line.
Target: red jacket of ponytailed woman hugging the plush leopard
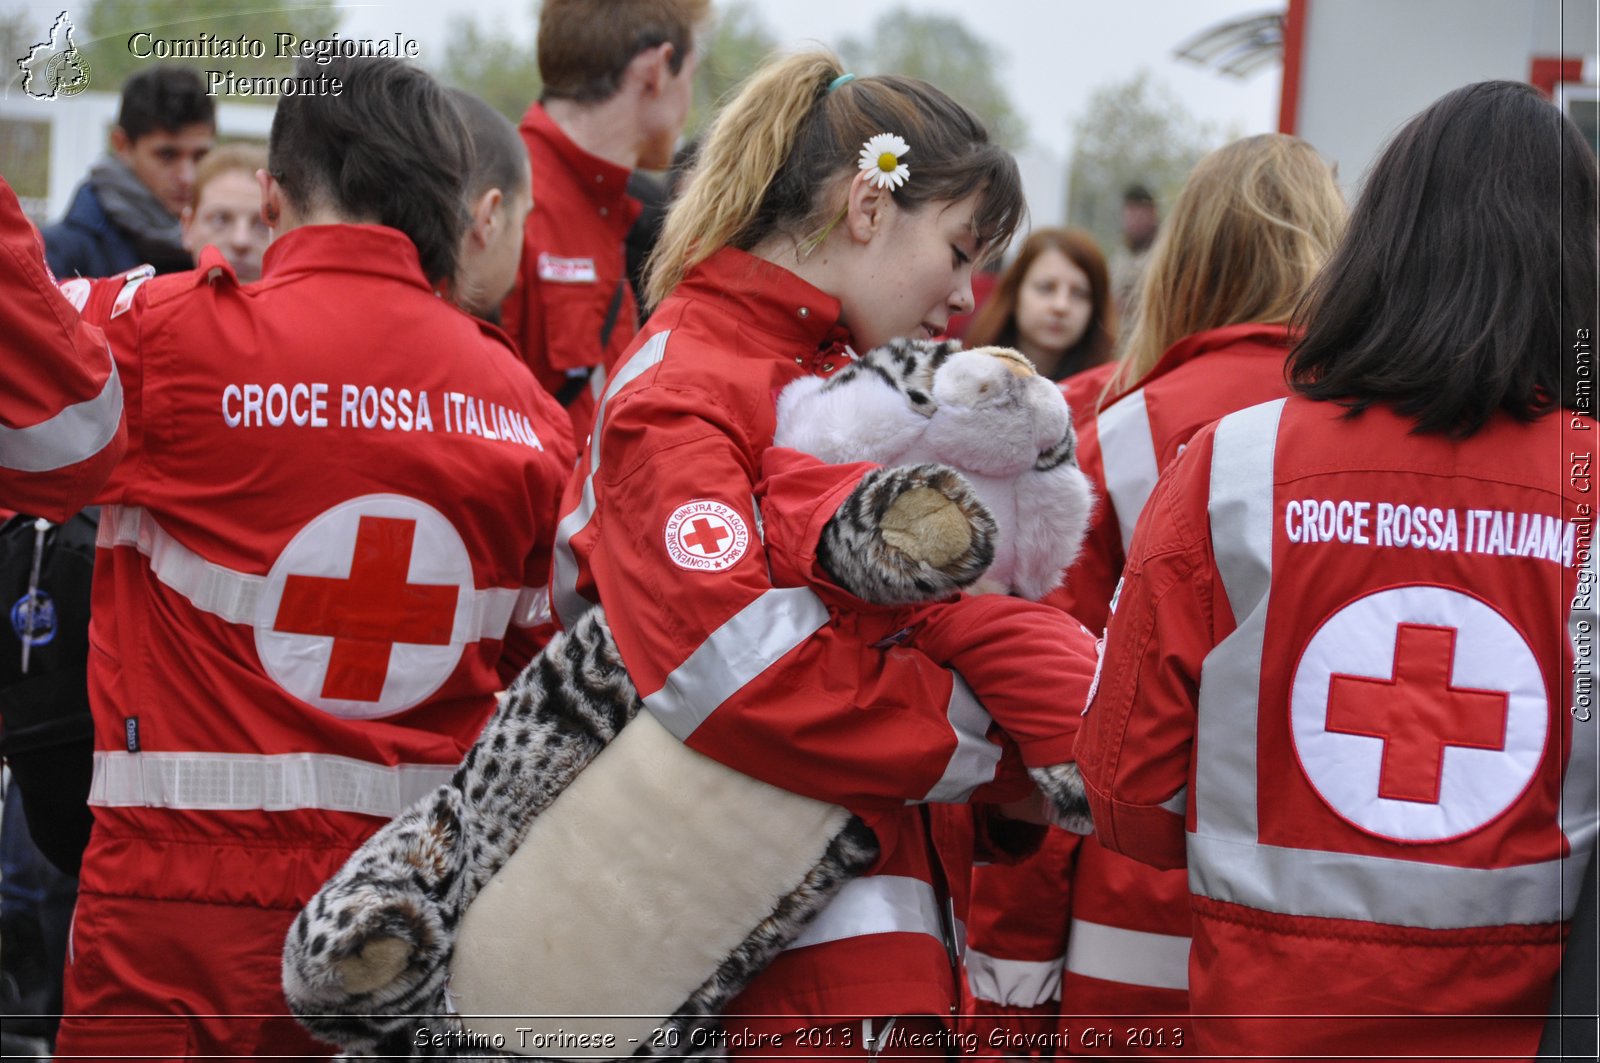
(782, 681)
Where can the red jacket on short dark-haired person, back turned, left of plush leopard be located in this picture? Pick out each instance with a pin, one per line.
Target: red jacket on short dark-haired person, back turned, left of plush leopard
(335, 515)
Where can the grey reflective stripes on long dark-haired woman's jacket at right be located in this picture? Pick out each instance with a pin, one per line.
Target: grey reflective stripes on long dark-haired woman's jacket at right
(1226, 857)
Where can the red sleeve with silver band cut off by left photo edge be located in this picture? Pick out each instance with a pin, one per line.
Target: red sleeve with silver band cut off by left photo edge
(62, 401)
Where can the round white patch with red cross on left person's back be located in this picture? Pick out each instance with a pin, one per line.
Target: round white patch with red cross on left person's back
(361, 612)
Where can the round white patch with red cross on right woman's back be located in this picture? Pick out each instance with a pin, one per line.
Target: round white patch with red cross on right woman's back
(1418, 713)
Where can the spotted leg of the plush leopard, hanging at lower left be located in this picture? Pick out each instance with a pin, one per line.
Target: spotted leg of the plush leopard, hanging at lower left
(372, 952)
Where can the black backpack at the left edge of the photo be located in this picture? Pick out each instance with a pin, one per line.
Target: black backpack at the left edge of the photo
(49, 734)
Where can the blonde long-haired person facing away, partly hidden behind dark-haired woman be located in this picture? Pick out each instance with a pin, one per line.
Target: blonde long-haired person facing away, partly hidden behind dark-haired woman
(1244, 243)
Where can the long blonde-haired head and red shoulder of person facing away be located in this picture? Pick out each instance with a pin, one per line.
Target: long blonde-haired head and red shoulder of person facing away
(1249, 233)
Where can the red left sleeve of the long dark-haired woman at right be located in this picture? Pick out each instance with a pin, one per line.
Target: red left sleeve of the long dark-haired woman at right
(1135, 748)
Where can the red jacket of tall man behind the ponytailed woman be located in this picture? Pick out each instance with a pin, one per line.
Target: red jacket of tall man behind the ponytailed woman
(574, 265)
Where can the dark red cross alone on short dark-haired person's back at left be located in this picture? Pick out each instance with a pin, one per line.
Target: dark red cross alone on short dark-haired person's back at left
(370, 612)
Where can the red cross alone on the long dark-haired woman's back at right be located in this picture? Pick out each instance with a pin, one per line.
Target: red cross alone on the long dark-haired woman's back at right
(1417, 713)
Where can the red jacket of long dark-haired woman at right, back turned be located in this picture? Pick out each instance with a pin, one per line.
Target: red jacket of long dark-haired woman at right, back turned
(1340, 688)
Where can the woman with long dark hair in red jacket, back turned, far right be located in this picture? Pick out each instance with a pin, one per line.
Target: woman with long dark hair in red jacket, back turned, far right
(1346, 681)
